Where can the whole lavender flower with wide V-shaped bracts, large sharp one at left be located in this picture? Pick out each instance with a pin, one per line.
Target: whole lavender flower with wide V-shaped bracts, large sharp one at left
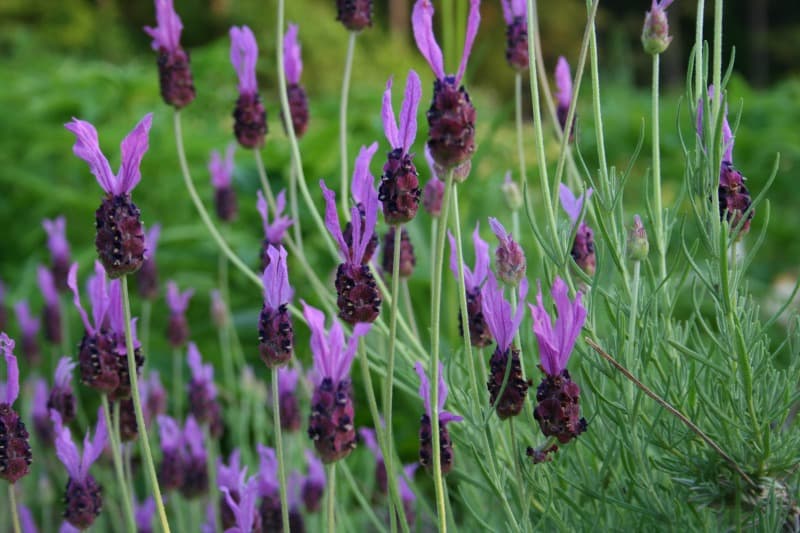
(120, 234)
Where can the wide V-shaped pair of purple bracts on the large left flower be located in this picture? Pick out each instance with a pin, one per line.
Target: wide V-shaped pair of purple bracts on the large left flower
(133, 148)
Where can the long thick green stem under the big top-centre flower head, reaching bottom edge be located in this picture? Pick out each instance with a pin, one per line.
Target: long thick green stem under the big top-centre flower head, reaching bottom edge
(435, 341)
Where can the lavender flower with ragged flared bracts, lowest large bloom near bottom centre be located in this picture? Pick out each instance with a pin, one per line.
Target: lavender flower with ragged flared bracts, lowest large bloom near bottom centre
(330, 425)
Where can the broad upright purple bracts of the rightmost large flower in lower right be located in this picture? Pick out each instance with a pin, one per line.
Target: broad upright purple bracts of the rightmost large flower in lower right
(556, 343)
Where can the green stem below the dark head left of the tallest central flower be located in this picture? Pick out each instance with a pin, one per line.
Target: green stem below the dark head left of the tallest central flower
(389, 385)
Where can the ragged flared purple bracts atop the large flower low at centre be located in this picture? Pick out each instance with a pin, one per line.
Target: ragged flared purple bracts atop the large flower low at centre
(331, 354)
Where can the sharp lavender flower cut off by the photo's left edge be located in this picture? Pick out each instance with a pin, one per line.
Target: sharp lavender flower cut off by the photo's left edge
(15, 453)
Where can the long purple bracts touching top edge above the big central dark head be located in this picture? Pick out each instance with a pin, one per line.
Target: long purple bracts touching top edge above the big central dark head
(422, 23)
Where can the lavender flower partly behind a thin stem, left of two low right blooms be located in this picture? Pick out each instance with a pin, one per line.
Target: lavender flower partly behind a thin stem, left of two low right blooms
(479, 334)
